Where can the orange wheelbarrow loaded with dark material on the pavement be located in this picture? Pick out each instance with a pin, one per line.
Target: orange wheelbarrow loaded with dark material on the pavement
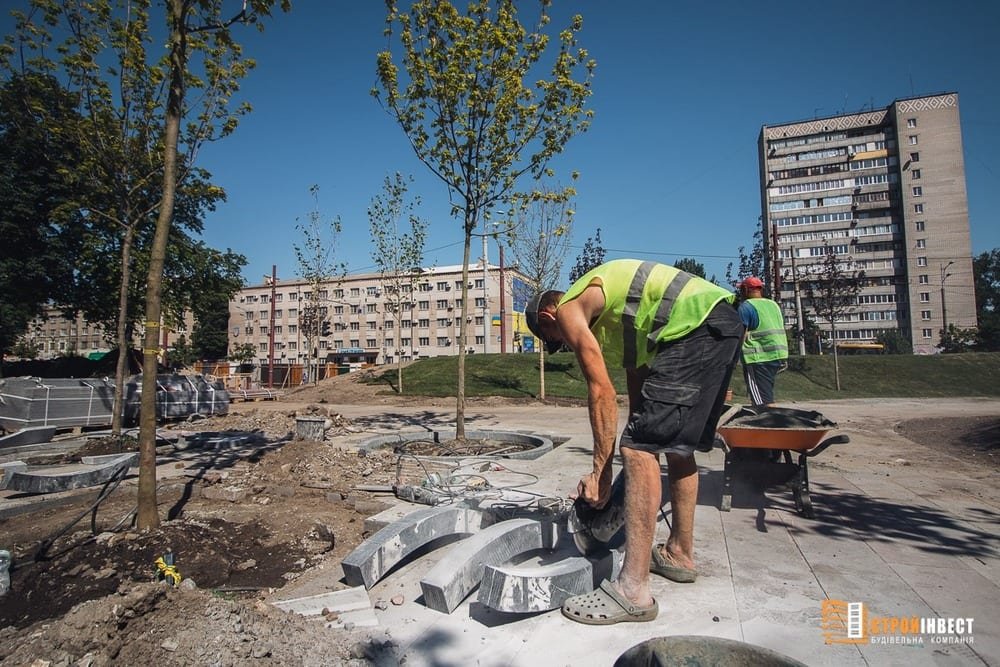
(793, 436)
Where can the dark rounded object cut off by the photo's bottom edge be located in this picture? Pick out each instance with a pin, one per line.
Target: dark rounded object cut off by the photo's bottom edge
(695, 651)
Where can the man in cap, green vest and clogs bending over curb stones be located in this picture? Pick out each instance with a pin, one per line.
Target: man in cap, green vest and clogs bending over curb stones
(678, 338)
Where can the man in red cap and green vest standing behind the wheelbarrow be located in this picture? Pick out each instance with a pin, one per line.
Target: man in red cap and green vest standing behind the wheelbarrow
(765, 346)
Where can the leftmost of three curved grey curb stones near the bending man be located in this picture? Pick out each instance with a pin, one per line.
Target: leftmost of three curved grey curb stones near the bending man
(388, 547)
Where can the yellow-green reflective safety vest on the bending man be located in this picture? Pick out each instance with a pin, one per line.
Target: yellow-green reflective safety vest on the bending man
(645, 303)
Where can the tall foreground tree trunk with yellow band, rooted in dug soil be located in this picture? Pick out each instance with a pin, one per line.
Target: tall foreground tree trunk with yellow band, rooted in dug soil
(147, 516)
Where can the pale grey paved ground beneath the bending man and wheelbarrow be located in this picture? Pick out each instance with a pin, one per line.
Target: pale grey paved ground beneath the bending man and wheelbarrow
(906, 530)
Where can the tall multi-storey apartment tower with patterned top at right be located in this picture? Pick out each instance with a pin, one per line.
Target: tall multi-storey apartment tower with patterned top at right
(885, 190)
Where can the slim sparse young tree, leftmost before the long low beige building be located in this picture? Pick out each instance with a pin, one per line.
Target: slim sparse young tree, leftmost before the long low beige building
(315, 257)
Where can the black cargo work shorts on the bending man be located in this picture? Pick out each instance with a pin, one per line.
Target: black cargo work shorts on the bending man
(685, 389)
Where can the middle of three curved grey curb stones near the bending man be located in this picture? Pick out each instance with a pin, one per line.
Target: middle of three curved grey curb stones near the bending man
(455, 575)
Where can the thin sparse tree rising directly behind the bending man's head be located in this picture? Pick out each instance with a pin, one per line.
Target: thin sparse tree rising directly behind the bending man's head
(539, 239)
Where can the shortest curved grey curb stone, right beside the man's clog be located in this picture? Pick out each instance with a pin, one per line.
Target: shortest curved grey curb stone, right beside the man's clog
(538, 588)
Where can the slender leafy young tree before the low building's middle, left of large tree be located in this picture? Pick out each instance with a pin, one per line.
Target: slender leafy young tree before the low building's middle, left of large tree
(398, 237)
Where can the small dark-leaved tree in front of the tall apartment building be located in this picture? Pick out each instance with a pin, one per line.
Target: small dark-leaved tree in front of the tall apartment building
(832, 287)
